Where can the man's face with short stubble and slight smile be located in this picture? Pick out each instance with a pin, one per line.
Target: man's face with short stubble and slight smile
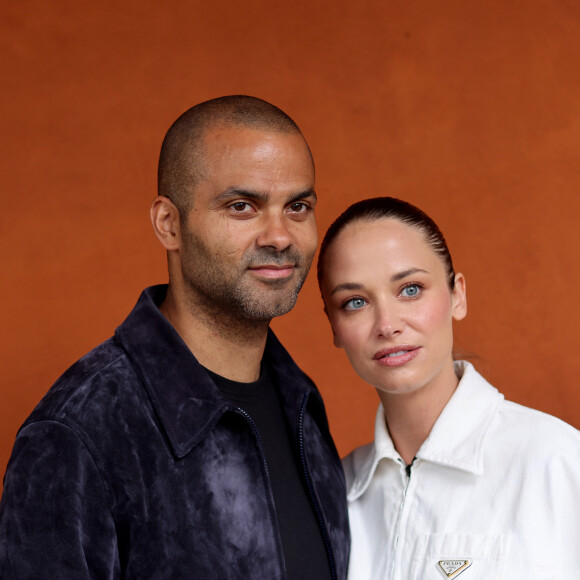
(250, 236)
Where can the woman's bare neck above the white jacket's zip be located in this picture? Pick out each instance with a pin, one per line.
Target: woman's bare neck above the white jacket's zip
(411, 416)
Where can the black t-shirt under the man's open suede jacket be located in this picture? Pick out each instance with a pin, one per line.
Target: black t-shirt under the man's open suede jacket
(304, 550)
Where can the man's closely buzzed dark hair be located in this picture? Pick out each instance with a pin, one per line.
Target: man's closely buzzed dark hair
(182, 158)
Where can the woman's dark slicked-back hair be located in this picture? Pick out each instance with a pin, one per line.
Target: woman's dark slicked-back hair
(378, 208)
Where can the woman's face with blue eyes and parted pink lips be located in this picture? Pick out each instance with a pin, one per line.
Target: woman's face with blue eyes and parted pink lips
(390, 306)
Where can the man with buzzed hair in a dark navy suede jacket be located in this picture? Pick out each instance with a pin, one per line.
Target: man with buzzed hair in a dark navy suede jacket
(190, 445)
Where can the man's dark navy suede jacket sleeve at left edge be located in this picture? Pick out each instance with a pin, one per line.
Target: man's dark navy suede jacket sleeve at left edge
(55, 517)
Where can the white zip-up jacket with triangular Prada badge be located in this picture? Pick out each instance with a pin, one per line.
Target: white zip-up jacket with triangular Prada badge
(494, 493)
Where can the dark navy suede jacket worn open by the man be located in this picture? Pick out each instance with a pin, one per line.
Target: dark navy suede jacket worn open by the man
(134, 466)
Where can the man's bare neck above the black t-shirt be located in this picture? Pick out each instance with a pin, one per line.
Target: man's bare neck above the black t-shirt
(228, 346)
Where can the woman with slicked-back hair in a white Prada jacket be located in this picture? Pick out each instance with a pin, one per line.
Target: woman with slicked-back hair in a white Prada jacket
(458, 482)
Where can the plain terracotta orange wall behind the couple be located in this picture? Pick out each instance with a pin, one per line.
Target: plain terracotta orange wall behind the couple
(469, 109)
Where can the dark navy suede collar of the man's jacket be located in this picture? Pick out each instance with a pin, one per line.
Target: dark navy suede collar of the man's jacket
(185, 399)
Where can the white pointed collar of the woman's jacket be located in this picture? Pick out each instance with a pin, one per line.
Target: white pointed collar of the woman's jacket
(457, 439)
